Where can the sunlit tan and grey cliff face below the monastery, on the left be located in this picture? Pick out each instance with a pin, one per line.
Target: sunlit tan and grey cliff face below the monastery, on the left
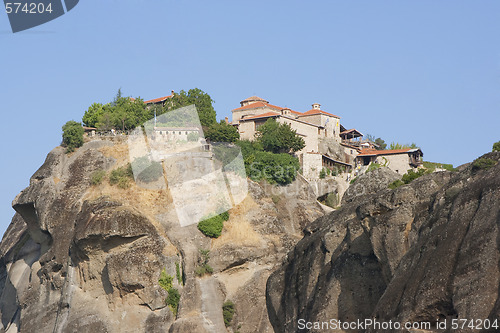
(83, 257)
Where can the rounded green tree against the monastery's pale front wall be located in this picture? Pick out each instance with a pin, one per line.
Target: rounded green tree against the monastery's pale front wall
(279, 138)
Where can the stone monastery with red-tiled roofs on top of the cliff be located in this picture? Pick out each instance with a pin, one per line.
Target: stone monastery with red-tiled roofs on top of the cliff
(316, 125)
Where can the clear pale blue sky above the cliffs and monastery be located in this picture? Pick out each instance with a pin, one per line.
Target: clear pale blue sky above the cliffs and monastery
(421, 71)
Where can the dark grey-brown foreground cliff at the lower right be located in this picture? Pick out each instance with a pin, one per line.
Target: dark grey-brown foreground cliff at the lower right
(424, 252)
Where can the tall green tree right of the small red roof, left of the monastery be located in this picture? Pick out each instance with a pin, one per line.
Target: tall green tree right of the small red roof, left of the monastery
(200, 99)
